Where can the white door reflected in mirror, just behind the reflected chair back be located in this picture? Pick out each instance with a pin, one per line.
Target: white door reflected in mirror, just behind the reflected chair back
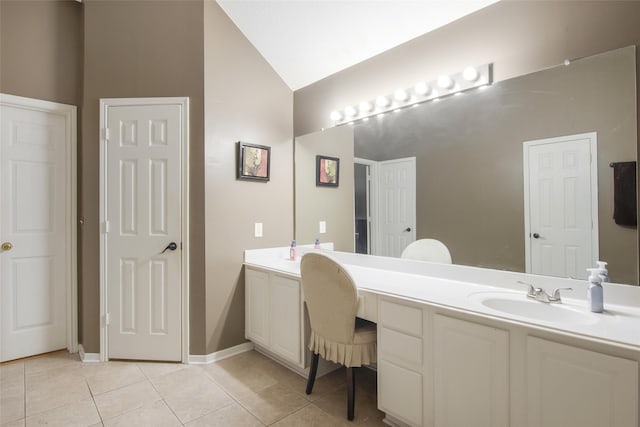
(397, 205)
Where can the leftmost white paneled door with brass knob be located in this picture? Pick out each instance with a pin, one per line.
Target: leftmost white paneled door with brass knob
(35, 224)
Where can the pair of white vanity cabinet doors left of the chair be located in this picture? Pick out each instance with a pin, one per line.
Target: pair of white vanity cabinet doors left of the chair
(273, 308)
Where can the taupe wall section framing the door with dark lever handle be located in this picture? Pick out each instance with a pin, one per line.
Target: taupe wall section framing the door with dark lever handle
(140, 49)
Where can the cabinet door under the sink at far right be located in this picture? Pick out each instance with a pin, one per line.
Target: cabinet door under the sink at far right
(569, 386)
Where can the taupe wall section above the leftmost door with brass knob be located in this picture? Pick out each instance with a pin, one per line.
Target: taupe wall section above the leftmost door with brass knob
(41, 50)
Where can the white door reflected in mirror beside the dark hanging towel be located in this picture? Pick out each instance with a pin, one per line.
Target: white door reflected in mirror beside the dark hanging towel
(561, 206)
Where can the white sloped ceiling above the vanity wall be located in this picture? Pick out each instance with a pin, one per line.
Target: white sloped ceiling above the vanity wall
(308, 40)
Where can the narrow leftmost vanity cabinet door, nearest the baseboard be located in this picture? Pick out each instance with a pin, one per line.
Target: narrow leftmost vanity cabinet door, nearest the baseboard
(257, 306)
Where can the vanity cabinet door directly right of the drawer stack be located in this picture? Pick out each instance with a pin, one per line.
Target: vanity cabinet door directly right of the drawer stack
(470, 374)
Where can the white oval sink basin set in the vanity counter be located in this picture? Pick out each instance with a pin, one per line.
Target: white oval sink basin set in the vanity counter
(521, 306)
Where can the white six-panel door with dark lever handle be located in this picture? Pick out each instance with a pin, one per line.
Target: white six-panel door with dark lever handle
(143, 217)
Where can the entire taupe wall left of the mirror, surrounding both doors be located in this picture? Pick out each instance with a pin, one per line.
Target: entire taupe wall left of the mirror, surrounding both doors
(77, 53)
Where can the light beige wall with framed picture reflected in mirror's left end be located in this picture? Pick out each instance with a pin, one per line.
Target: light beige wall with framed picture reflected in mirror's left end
(334, 205)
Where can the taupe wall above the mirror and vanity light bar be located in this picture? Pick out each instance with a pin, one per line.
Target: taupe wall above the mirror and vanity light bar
(518, 37)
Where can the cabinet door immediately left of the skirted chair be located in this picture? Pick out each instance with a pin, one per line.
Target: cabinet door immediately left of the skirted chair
(285, 318)
